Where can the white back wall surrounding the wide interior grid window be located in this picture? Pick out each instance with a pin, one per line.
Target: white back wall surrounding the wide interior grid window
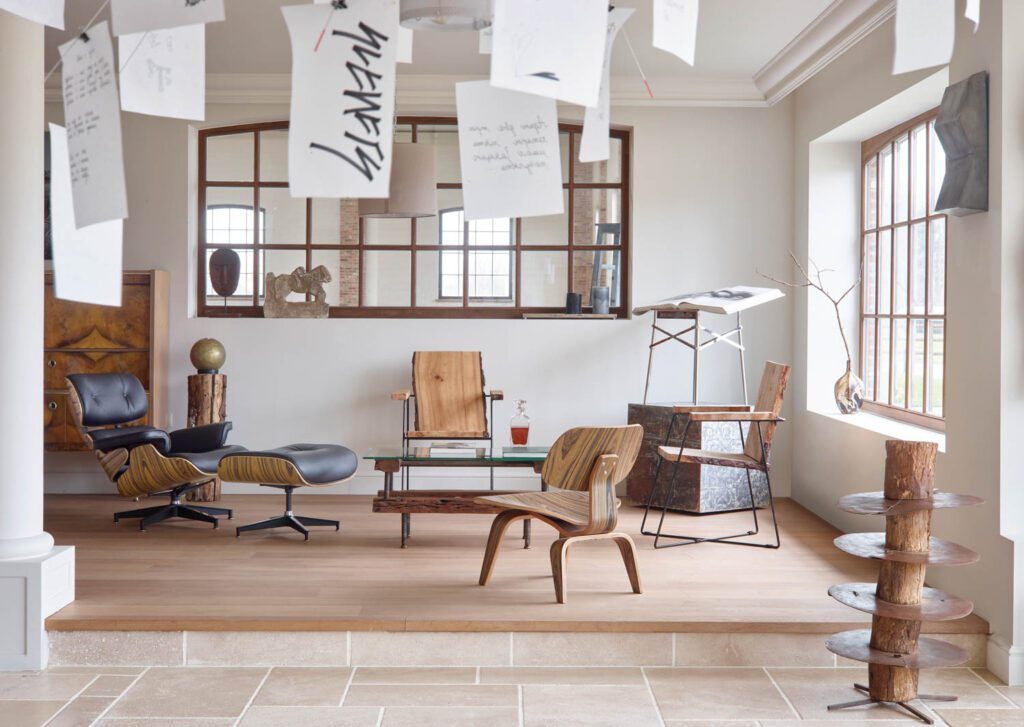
(712, 203)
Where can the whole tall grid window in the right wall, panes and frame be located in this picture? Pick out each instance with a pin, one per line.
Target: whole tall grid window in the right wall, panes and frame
(904, 296)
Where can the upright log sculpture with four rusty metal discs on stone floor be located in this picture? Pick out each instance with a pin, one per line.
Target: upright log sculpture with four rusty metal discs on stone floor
(900, 603)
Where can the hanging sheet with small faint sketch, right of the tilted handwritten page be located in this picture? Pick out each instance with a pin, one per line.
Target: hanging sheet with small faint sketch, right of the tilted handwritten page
(164, 72)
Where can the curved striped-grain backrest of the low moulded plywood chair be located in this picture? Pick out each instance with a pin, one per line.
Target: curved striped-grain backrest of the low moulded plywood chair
(573, 456)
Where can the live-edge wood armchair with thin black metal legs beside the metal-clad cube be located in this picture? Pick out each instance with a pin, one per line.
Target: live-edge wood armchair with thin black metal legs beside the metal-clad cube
(756, 456)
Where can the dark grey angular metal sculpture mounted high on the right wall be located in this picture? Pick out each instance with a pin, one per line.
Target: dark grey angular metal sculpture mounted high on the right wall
(963, 129)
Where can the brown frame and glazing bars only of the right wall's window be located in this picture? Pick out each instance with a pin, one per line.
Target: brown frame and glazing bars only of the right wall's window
(872, 149)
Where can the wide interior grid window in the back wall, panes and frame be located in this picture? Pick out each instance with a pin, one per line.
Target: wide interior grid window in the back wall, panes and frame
(443, 267)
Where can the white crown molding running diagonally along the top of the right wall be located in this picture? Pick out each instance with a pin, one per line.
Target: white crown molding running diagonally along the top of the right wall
(838, 29)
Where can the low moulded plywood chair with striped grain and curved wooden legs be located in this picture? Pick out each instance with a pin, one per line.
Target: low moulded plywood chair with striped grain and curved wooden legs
(582, 471)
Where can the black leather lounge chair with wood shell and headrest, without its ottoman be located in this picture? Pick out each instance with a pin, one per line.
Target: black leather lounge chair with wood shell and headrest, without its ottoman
(144, 460)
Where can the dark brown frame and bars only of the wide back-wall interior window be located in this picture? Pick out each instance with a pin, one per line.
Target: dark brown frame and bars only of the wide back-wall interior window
(211, 309)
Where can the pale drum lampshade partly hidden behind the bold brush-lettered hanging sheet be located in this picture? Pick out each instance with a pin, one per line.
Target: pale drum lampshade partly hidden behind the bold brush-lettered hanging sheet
(414, 187)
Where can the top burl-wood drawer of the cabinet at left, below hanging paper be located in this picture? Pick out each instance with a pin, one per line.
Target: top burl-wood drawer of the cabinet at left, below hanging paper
(73, 325)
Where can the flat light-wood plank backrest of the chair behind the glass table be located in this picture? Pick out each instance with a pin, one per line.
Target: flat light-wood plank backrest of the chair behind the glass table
(449, 389)
